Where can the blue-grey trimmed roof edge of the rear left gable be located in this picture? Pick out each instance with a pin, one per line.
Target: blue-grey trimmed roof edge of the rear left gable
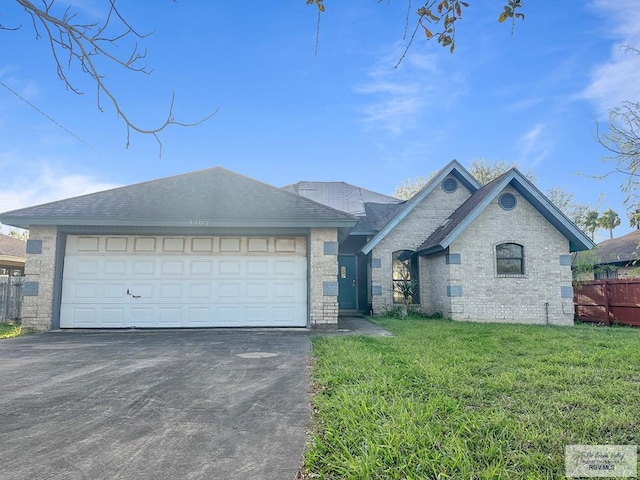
(453, 168)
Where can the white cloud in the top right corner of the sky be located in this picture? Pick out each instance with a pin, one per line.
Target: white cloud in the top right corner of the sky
(617, 80)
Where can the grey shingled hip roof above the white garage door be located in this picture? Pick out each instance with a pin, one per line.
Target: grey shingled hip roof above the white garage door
(215, 197)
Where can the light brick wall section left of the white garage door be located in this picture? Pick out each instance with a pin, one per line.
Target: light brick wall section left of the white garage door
(37, 309)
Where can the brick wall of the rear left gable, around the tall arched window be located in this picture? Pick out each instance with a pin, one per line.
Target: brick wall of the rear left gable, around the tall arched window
(408, 235)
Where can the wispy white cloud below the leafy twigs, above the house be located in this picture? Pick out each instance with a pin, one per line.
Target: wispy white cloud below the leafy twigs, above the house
(400, 96)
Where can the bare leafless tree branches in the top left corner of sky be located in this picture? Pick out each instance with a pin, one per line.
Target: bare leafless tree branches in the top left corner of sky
(73, 42)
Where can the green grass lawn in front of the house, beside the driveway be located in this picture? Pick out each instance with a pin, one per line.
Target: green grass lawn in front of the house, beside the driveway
(450, 400)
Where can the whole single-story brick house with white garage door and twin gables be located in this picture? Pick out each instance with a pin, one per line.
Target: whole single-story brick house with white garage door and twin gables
(215, 248)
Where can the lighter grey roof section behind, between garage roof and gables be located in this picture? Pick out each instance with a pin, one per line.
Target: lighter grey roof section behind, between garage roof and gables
(341, 196)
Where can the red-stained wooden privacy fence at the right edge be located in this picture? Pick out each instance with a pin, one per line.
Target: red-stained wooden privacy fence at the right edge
(608, 301)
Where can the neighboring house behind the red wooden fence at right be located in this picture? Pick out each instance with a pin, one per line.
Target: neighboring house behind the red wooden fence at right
(617, 258)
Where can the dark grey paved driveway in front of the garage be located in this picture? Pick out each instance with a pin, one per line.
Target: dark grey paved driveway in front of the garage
(214, 404)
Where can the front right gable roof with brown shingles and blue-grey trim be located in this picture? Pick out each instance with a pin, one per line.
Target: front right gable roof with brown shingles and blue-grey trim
(444, 235)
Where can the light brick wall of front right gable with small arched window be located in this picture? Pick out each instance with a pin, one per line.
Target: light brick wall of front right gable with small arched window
(532, 298)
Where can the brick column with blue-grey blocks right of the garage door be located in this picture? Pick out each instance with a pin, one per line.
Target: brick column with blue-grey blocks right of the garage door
(323, 277)
